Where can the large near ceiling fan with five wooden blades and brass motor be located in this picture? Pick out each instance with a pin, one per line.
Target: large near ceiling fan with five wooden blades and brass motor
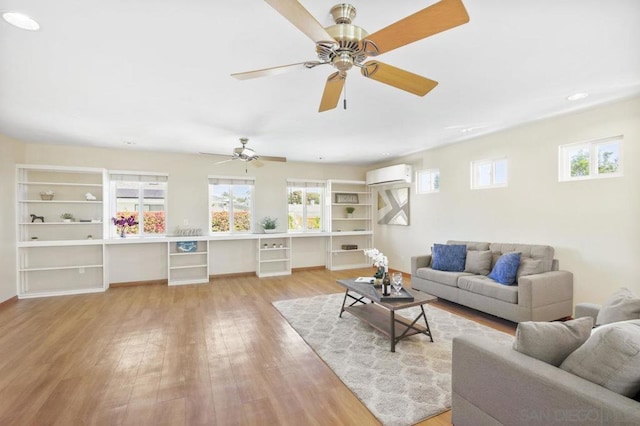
(345, 45)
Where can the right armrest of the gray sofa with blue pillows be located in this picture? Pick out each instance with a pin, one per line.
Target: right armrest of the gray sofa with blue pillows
(545, 289)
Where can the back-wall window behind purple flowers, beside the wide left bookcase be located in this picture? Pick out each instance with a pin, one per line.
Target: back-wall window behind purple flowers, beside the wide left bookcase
(139, 195)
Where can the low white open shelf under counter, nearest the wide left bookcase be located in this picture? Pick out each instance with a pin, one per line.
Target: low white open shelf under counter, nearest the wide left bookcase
(188, 262)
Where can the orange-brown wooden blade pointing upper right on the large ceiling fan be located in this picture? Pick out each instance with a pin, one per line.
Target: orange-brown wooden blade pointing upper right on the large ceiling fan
(438, 17)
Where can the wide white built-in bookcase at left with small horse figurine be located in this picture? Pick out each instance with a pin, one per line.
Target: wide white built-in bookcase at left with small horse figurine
(55, 256)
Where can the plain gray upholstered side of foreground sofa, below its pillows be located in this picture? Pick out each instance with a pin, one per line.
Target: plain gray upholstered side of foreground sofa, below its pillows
(511, 388)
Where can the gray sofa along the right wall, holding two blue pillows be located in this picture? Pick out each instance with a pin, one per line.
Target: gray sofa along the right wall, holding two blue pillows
(544, 296)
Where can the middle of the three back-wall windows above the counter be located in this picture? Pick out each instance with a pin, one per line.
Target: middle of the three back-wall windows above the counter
(231, 204)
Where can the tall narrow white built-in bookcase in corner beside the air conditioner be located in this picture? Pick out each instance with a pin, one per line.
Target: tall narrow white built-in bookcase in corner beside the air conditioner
(356, 230)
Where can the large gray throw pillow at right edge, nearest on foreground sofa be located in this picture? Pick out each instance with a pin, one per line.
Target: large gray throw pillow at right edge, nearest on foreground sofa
(610, 358)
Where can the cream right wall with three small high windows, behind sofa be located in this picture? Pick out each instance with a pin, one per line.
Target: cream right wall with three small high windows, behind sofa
(594, 225)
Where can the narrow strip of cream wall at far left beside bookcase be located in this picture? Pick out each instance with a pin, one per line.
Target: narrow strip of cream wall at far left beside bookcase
(11, 152)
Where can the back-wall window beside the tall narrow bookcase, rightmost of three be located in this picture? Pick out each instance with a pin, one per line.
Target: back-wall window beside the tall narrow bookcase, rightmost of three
(305, 201)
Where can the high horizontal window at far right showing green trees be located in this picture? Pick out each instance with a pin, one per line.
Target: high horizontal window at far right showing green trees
(589, 160)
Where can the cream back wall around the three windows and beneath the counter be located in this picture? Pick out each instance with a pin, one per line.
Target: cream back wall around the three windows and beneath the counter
(188, 201)
